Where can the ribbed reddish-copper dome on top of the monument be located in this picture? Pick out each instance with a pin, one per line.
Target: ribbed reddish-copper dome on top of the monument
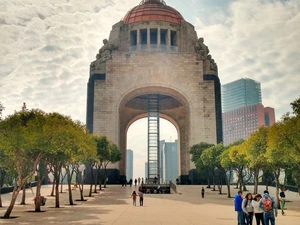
(153, 10)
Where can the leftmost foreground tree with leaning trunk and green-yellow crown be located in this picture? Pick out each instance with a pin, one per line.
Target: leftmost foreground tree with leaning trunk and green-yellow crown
(22, 142)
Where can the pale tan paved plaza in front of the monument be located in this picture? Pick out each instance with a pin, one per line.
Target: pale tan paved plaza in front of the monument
(114, 207)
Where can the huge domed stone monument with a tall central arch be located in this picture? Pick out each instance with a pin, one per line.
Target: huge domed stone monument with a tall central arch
(153, 50)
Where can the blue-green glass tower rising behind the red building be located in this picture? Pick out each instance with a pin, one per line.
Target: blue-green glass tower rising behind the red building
(240, 93)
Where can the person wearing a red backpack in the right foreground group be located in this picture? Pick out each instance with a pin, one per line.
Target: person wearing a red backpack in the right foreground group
(267, 203)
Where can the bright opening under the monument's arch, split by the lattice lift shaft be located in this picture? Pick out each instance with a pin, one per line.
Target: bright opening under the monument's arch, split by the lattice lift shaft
(137, 143)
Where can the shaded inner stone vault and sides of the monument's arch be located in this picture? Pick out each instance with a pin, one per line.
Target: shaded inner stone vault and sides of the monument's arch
(174, 108)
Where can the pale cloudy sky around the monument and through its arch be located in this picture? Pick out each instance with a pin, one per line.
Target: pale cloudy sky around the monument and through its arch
(46, 48)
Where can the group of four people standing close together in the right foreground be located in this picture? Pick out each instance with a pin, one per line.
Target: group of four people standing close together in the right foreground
(263, 208)
